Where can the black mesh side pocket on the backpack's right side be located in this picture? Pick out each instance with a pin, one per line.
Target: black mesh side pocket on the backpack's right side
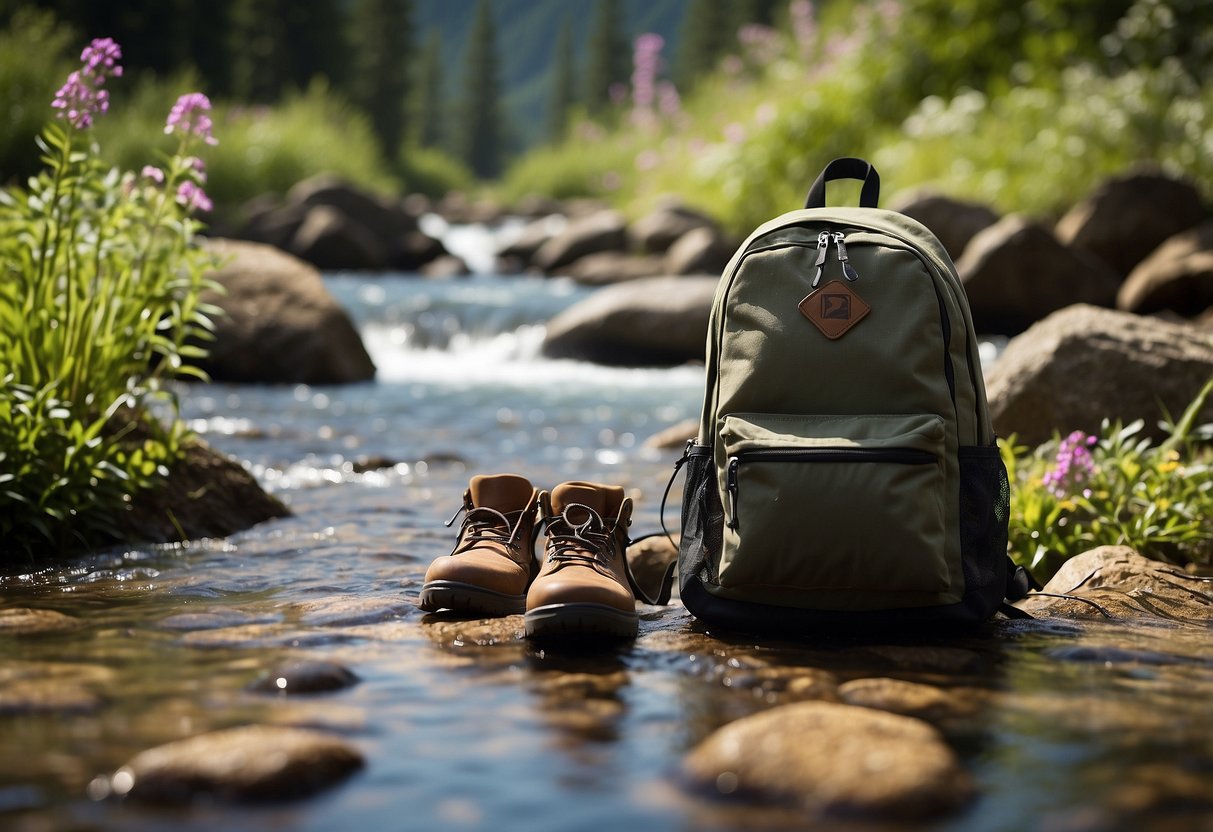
(986, 510)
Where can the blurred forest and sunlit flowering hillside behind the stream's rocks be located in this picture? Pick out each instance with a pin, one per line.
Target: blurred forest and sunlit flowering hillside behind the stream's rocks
(733, 106)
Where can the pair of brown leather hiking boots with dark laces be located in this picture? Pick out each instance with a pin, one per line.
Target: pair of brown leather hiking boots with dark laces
(584, 585)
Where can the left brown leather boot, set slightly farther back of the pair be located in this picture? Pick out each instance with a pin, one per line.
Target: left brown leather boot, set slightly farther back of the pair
(494, 561)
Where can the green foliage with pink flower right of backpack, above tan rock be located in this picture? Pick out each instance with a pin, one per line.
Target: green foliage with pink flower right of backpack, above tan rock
(1154, 498)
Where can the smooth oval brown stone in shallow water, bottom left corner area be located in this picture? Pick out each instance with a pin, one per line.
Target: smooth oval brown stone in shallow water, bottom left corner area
(238, 765)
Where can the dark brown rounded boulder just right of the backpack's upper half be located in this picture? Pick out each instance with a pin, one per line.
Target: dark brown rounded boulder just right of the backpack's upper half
(1016, 273)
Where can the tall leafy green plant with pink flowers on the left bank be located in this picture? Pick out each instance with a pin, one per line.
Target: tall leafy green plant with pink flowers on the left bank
(100, 284)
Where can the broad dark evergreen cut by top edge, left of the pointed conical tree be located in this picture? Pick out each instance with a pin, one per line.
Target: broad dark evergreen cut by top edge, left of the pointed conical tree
(381, 36)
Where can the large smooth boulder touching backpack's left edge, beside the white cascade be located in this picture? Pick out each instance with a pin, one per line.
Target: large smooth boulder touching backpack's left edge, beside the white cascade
(650, 322)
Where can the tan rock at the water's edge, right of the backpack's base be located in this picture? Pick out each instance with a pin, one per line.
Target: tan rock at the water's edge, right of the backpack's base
(1125, 584)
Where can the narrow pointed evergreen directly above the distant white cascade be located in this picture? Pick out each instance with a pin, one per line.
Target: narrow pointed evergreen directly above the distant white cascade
(480, 141)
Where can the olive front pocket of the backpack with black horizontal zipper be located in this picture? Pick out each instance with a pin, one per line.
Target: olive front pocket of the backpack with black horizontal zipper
(834, 504)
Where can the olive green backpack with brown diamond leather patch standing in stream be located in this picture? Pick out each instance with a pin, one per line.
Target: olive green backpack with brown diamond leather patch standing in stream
(846, 470)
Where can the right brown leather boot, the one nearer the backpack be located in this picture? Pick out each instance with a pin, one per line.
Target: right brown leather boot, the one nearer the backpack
(585, 586)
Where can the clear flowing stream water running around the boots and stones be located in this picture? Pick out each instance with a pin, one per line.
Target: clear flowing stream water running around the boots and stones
(463, 725)
